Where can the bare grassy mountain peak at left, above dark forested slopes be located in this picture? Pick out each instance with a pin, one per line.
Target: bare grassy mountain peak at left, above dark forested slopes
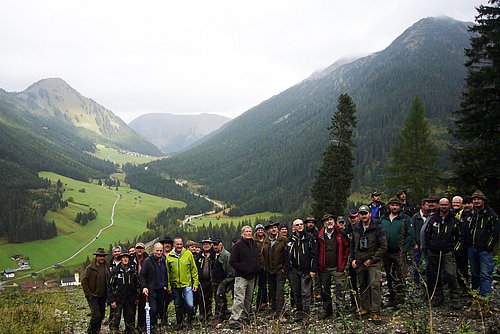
(54, 98)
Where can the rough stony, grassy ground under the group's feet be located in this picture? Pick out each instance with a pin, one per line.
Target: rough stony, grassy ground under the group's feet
(66, 311)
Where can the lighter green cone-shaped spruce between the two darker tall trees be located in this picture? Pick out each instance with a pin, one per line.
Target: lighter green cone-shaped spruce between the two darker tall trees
(412, 163)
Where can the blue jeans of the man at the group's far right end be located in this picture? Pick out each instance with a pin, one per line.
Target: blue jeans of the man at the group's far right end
(481, 267)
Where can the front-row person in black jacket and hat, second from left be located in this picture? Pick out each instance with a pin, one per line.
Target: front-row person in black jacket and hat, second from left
(123, 293)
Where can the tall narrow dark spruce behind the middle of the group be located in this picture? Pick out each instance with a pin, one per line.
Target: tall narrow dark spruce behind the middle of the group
(332, 185)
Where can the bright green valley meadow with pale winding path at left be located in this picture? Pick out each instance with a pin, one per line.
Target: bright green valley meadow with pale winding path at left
(132, 212)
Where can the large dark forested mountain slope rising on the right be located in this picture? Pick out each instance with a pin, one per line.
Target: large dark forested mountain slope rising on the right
(266, 158)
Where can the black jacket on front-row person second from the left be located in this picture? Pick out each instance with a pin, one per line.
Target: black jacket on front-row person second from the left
(124, 285)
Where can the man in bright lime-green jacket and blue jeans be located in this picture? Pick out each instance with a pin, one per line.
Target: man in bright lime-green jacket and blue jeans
(183, 281)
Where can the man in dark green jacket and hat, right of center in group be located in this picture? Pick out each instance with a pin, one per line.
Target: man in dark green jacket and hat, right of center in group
(398, 228)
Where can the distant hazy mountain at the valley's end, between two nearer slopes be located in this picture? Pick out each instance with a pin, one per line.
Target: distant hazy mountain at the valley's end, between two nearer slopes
(173, 133)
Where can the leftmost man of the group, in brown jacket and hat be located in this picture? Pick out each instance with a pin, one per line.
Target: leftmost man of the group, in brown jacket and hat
(95, 284)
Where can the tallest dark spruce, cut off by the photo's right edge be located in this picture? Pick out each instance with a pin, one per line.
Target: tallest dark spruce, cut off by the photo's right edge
(477, 156)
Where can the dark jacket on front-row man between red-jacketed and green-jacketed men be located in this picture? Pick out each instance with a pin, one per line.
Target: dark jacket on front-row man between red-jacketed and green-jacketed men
(376, 242)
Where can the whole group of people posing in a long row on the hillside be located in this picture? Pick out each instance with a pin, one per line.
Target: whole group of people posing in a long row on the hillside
(345, 252)
